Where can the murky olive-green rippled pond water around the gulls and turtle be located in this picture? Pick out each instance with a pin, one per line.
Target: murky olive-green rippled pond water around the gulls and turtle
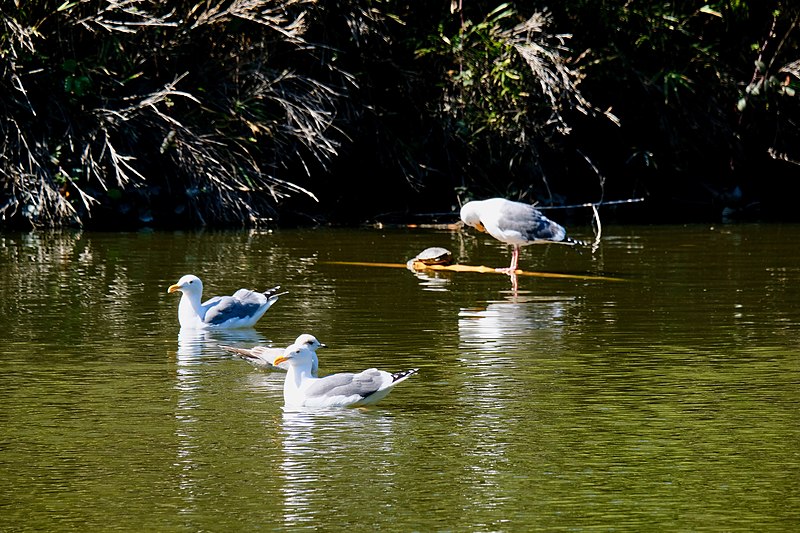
(665, 399)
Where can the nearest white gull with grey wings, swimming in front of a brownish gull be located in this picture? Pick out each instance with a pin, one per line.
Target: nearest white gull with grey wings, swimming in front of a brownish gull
(301, 389)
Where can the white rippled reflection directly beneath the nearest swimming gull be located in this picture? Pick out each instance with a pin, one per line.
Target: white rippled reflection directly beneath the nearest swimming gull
(324, 453)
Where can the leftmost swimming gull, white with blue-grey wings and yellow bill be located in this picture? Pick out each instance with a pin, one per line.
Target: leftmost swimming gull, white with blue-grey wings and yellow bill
(241, 310)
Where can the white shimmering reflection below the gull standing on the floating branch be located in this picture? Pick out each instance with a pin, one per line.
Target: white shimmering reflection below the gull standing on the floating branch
(497, 349)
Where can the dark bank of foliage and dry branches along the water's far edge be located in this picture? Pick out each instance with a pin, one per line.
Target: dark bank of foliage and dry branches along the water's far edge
(233, 112)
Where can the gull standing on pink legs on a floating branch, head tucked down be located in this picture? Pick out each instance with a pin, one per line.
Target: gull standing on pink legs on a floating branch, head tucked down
(513, 223)
